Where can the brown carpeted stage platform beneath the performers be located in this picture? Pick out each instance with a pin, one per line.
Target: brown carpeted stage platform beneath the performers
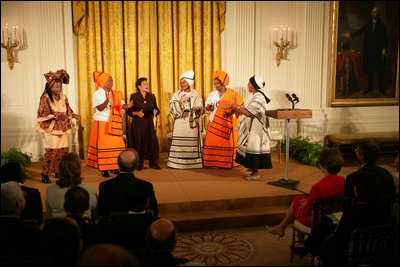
(207, 199)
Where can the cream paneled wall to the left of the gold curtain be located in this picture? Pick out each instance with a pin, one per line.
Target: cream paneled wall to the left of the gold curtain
(49, 46)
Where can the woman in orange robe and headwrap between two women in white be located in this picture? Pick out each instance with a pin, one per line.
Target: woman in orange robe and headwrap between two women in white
(221, 139)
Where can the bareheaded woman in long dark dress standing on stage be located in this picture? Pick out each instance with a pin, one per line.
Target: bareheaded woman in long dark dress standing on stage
(143, 134)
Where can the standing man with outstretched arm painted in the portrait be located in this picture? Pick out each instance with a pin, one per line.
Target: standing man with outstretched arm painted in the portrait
(375, 45)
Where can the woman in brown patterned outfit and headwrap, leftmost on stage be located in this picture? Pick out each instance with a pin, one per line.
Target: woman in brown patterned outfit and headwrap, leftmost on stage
(54, 121)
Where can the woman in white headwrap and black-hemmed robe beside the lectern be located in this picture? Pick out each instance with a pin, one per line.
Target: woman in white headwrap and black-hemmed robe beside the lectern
(253, 150)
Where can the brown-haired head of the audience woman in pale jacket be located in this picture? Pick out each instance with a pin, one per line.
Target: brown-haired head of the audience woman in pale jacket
(70, 170)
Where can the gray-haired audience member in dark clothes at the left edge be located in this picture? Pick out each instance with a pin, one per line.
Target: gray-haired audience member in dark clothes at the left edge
(21, 243)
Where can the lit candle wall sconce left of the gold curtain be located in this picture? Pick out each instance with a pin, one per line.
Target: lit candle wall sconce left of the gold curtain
(10, 40)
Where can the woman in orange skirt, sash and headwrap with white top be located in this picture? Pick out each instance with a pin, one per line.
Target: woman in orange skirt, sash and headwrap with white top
(106, 141)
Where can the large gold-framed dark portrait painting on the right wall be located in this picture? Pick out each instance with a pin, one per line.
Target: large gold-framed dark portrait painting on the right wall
(364, 53)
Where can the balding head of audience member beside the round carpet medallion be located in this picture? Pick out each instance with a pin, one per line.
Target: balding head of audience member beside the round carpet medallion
(161, 236)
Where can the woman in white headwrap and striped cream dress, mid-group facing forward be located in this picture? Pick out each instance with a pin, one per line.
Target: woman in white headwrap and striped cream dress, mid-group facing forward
(186, 107)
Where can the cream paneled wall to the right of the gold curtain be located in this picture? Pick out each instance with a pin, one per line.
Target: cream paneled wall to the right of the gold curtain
(247, 50)
